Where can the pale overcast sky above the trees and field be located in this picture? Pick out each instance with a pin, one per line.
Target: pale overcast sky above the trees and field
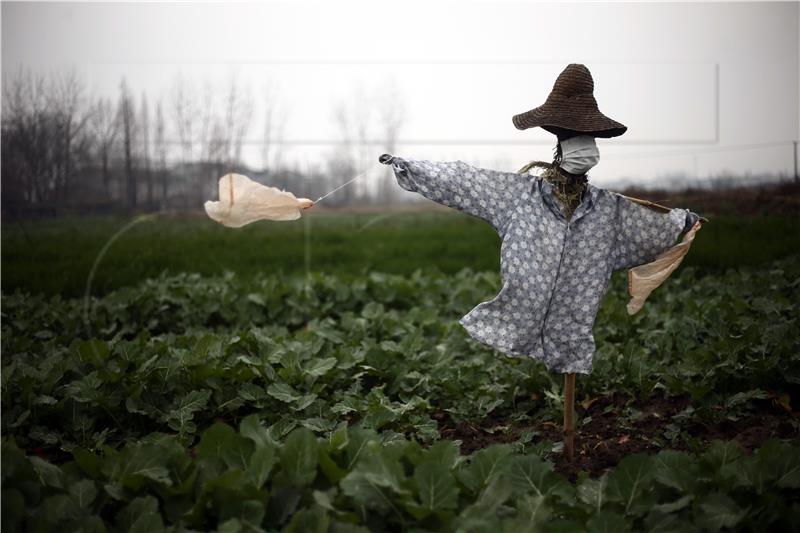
(691, 81)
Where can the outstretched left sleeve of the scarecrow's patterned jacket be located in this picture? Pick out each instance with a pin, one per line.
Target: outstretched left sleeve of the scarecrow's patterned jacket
(487, 194)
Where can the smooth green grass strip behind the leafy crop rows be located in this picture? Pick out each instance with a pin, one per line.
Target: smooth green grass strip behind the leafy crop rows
(56, 256)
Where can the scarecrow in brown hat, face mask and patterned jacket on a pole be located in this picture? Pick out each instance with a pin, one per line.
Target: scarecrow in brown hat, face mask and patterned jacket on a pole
(562, 237)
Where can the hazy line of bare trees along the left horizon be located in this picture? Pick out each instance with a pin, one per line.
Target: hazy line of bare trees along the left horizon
(64, 150)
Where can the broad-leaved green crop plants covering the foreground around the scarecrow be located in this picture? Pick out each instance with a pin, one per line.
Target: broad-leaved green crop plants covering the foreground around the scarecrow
(316, 403)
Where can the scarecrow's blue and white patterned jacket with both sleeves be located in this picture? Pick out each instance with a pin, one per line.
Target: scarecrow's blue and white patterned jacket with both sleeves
(555, 272)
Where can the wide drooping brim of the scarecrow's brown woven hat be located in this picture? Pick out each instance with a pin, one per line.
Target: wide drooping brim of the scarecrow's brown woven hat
(572, 115)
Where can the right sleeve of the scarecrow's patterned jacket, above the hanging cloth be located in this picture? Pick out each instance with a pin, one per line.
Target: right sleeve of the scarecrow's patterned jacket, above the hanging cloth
(642, 232)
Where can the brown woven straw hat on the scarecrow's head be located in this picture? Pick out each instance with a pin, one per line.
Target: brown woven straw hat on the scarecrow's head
(571, 106)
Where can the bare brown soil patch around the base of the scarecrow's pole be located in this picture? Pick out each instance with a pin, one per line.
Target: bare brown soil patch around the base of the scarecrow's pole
(603, 442)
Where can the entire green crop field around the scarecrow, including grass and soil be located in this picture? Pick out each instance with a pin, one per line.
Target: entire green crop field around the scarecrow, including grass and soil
(312, 376)
